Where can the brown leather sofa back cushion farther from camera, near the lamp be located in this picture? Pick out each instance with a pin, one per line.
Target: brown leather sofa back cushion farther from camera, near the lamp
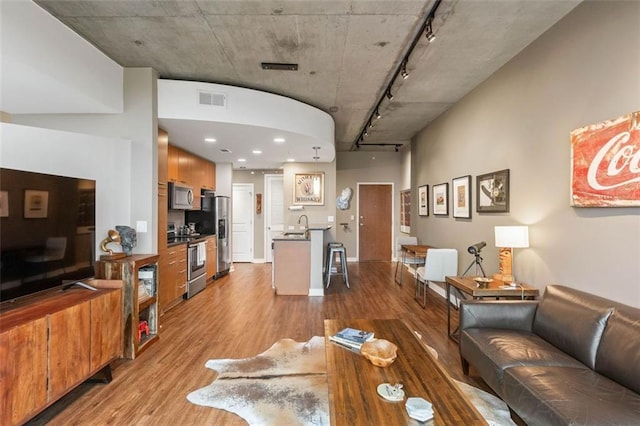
(572, 321)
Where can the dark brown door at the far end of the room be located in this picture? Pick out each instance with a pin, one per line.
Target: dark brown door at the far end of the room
(375, 222)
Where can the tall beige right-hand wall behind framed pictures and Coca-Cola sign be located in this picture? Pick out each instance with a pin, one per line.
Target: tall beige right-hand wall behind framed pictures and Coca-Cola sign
(583, 70)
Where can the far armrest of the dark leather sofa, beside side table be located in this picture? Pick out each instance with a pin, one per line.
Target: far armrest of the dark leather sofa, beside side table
(514, 315)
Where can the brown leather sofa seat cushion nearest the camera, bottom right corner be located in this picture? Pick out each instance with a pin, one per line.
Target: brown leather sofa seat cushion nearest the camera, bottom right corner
(568, 396)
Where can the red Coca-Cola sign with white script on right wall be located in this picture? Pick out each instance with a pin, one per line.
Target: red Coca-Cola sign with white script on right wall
(605, 163)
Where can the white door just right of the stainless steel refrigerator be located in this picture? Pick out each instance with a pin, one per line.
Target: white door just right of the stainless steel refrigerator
(242, 227)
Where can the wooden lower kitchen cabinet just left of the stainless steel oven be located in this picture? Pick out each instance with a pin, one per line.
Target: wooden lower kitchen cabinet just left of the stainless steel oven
(173, 278)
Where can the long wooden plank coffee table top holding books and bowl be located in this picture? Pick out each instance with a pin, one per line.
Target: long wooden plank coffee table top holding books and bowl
(353, 398)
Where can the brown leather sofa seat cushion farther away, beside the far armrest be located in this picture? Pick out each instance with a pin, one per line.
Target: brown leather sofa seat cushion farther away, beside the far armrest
(492, 350)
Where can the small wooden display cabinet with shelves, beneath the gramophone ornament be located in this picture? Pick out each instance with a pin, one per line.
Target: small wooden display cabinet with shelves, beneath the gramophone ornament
(139, 275)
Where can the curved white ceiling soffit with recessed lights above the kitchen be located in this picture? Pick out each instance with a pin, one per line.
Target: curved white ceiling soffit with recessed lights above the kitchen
(243, 121)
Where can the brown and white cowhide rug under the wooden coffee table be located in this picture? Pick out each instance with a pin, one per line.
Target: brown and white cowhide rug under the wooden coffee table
(287, 385)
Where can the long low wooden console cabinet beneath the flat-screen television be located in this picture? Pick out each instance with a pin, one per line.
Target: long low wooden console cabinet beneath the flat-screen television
(51, 343)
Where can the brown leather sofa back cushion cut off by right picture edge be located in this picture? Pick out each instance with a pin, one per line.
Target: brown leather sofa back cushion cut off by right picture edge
(618, 355)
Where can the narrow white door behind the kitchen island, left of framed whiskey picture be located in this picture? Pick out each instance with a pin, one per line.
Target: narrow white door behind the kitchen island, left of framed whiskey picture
(274, 211)
